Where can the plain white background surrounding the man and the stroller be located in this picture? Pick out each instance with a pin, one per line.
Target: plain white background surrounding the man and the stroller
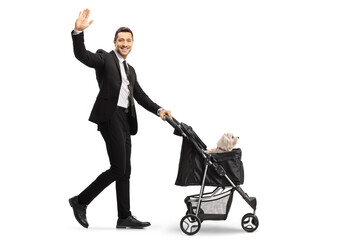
(280, 74)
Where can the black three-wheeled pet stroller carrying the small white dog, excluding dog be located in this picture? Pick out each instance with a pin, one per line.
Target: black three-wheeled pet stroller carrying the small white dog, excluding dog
(224, 171)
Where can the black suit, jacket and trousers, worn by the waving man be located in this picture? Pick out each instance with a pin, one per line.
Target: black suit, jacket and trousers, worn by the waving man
(115, 124)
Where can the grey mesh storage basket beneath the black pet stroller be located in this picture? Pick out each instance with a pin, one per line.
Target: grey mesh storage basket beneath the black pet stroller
(213, 207)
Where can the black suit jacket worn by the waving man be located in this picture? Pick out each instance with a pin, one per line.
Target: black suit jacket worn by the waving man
(109, 79)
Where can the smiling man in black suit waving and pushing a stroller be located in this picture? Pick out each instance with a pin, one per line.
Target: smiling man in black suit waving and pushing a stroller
(114, 113)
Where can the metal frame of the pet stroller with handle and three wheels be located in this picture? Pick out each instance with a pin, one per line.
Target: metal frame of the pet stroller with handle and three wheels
(190, 224)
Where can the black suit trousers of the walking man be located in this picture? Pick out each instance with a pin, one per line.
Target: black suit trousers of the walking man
(116, 133)
